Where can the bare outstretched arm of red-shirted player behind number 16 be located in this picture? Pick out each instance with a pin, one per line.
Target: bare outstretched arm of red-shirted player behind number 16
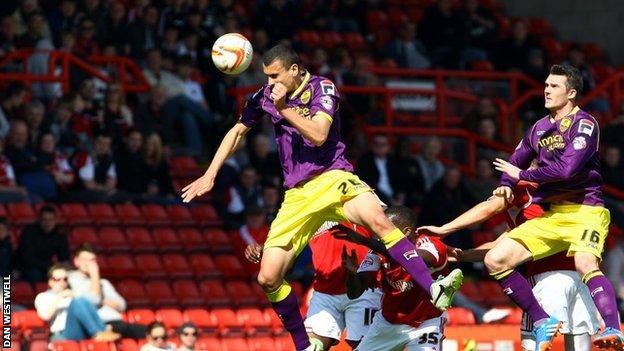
(479, 213)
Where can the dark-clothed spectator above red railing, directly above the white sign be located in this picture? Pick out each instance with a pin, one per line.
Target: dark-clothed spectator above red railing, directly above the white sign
(407, 51)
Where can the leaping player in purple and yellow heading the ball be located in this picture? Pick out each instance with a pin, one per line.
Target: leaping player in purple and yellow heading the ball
(319, 183)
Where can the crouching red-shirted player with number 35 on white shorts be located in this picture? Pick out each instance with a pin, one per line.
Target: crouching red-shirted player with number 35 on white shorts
(407, 319)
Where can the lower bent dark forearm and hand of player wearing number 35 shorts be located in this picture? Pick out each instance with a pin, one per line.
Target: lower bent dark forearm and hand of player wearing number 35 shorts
(359, 278)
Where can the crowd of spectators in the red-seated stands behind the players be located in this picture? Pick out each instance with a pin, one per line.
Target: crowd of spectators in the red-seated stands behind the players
(97, 143)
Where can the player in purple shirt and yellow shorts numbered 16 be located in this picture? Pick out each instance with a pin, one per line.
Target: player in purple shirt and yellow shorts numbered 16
(565, 144)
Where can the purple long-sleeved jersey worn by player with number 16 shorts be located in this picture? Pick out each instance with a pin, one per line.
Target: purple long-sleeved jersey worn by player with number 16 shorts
(567, 155)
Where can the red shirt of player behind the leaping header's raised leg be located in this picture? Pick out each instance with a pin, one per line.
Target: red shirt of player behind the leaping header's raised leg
(329, 276)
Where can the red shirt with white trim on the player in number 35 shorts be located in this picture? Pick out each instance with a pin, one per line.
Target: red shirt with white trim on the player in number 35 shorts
(403, 301)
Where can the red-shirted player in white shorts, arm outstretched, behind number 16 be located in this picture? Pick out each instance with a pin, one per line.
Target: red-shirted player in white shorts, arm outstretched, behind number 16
(556, 284)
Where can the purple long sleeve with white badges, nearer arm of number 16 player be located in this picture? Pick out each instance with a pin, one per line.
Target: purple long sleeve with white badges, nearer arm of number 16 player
(581, 146)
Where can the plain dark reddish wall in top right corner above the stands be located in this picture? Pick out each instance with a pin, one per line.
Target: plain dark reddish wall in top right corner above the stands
(579, 20)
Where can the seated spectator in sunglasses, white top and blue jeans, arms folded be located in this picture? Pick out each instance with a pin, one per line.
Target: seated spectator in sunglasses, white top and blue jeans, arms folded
(69, 317)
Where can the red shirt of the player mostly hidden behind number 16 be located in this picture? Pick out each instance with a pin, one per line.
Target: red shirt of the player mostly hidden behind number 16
(528, 211)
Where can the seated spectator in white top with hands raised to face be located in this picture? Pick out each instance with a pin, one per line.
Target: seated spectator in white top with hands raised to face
(87, 283)
